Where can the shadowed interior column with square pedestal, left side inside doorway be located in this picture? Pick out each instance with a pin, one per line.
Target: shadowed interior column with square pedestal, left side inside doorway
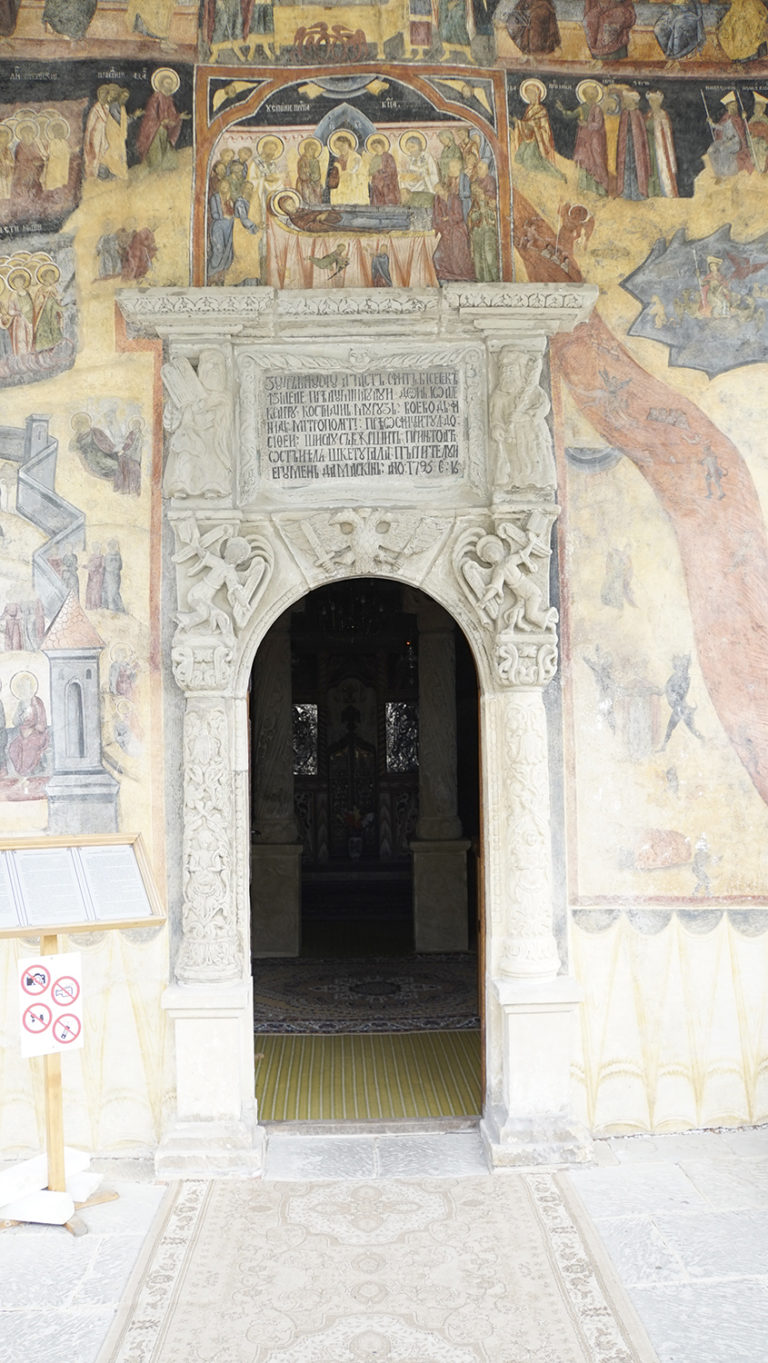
(276, 854)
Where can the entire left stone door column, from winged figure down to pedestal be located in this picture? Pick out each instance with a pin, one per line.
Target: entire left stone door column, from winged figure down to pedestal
(220, 576)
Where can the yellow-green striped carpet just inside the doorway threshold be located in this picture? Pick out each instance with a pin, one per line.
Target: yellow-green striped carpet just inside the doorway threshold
(369, 1076)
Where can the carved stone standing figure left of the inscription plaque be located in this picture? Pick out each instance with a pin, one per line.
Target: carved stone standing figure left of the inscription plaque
(200, 460)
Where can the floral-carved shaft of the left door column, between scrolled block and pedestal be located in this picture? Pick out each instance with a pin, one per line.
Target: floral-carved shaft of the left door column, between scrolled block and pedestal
(211, 949)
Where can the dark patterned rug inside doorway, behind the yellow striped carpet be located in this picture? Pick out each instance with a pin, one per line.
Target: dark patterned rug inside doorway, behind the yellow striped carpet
(369, 994)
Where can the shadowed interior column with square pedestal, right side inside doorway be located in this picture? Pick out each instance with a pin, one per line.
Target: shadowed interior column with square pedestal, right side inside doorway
(440, 853)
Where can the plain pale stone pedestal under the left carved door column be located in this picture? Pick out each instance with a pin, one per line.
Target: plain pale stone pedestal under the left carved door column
(215, 1132)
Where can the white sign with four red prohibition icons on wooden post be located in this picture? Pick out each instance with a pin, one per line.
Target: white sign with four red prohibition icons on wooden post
(51, 1004)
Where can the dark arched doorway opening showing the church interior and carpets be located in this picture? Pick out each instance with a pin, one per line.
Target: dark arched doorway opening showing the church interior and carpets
(370, 964)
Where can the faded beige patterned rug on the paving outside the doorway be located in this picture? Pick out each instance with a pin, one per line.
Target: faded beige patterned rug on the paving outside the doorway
(493, 1270)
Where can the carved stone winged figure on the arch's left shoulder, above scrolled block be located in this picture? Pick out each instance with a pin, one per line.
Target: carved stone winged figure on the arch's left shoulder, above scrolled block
(222, 558)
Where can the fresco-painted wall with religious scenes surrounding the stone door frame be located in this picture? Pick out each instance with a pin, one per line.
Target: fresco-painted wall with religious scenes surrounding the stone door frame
(417, 145)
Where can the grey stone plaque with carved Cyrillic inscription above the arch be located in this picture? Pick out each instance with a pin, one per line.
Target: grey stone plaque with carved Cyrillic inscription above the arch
(349, 427)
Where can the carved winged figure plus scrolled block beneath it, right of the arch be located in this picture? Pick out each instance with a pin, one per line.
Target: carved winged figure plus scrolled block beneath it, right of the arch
(505, 576)
